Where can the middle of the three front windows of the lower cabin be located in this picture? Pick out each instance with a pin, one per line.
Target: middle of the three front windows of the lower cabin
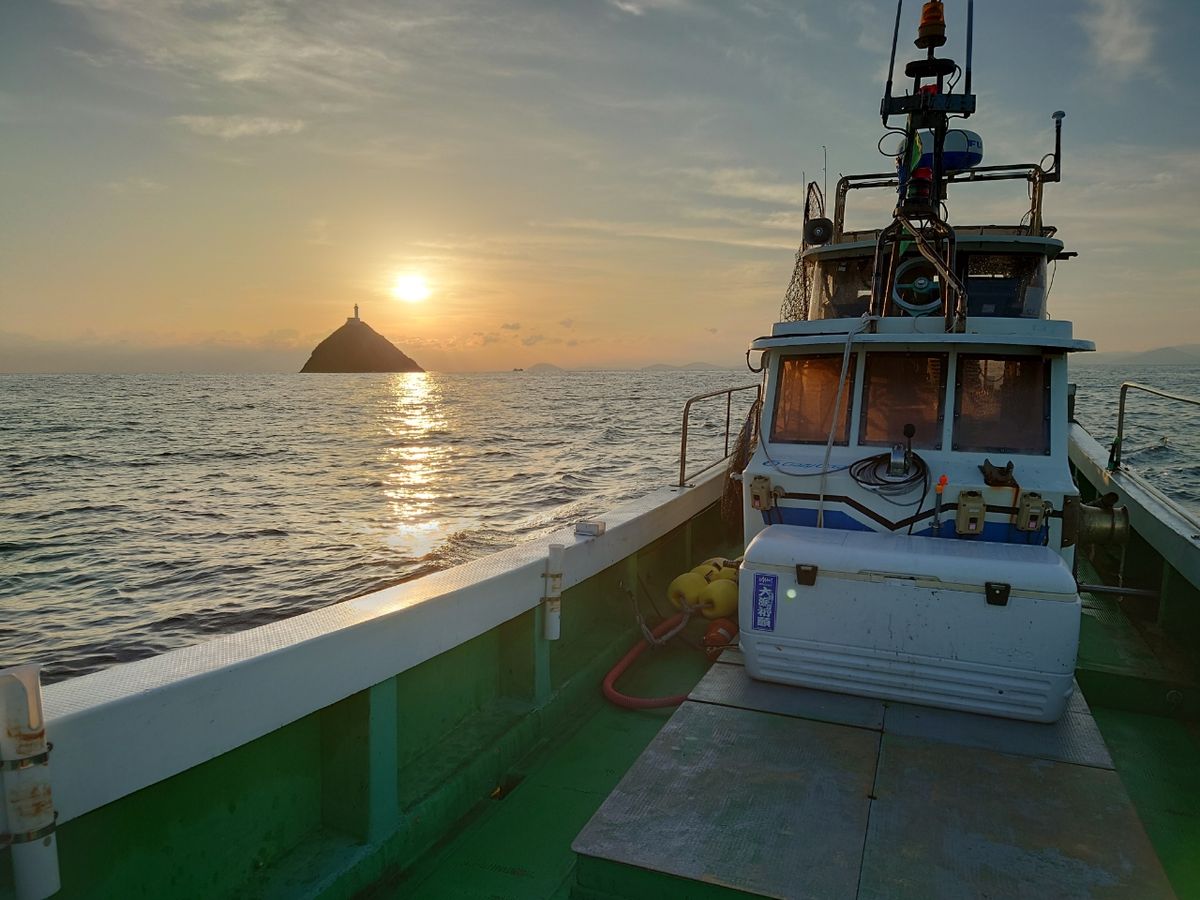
(904, 389)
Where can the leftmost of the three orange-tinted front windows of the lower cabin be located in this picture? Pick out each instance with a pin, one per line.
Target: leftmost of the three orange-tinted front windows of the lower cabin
(806, 399)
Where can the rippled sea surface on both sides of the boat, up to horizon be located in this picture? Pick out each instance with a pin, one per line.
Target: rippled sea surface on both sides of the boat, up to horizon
(146, 513)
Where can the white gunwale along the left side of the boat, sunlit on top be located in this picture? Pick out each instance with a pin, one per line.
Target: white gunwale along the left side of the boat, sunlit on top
(145, 722)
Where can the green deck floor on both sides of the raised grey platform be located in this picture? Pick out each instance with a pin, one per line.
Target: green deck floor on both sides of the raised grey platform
(518, 848)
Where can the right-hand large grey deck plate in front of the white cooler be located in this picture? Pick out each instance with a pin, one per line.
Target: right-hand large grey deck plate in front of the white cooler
(955, 823)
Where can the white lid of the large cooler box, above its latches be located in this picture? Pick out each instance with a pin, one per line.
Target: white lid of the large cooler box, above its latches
(1024, 568)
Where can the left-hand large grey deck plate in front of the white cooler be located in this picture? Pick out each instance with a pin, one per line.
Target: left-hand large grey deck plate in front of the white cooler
(731, 797)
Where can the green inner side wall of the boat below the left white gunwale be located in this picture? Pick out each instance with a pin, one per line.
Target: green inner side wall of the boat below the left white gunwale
(365, 790)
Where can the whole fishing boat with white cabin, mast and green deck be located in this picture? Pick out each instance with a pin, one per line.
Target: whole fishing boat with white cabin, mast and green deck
(917, 634)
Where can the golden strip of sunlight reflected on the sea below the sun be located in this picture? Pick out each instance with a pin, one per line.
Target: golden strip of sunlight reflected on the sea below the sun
(413, 459)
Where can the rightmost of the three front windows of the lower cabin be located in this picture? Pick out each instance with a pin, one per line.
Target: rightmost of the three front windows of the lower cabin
(1003, 405)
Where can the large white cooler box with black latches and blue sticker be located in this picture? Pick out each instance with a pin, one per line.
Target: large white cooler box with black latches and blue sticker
(987, 628)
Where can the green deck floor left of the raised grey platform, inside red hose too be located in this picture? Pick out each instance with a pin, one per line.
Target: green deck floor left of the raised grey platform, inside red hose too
(518, 848)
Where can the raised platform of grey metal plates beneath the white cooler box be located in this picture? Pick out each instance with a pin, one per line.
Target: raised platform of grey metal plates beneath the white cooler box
(775, 791)
